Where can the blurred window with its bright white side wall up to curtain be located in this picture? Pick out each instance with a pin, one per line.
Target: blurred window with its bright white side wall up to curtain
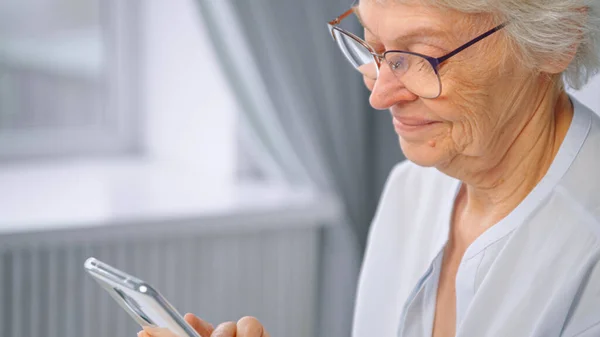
(108, 77)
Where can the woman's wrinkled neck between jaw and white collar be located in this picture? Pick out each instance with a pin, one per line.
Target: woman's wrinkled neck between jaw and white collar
(490, 194)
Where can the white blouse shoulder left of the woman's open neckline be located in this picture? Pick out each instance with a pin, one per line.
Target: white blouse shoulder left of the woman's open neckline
(399, 246)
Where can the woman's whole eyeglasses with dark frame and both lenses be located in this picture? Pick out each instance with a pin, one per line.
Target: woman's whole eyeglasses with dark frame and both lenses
(419, 73)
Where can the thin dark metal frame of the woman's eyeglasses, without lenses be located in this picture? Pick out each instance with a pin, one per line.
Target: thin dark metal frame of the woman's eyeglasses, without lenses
(435, 62)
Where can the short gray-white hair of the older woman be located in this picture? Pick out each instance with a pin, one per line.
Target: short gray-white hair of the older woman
(547, 29)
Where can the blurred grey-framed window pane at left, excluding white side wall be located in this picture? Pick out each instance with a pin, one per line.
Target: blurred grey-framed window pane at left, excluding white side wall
(68, 78)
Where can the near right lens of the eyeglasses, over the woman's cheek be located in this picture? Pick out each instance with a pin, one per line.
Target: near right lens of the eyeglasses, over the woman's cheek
(416, 73)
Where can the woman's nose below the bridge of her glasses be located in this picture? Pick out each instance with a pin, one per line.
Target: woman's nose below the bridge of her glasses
(388, 90)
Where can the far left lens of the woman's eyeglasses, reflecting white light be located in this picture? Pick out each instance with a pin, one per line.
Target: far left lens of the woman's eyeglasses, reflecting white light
(358, 55)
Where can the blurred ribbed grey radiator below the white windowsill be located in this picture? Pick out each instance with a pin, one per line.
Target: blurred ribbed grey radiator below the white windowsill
(270, 274)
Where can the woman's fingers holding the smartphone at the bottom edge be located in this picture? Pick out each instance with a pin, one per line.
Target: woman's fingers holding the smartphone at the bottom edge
(245, 327)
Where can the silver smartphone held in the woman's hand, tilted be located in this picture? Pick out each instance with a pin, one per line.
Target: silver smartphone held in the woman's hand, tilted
(143, 303)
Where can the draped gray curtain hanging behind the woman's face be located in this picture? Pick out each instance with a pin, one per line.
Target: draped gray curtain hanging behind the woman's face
(309, 110)
